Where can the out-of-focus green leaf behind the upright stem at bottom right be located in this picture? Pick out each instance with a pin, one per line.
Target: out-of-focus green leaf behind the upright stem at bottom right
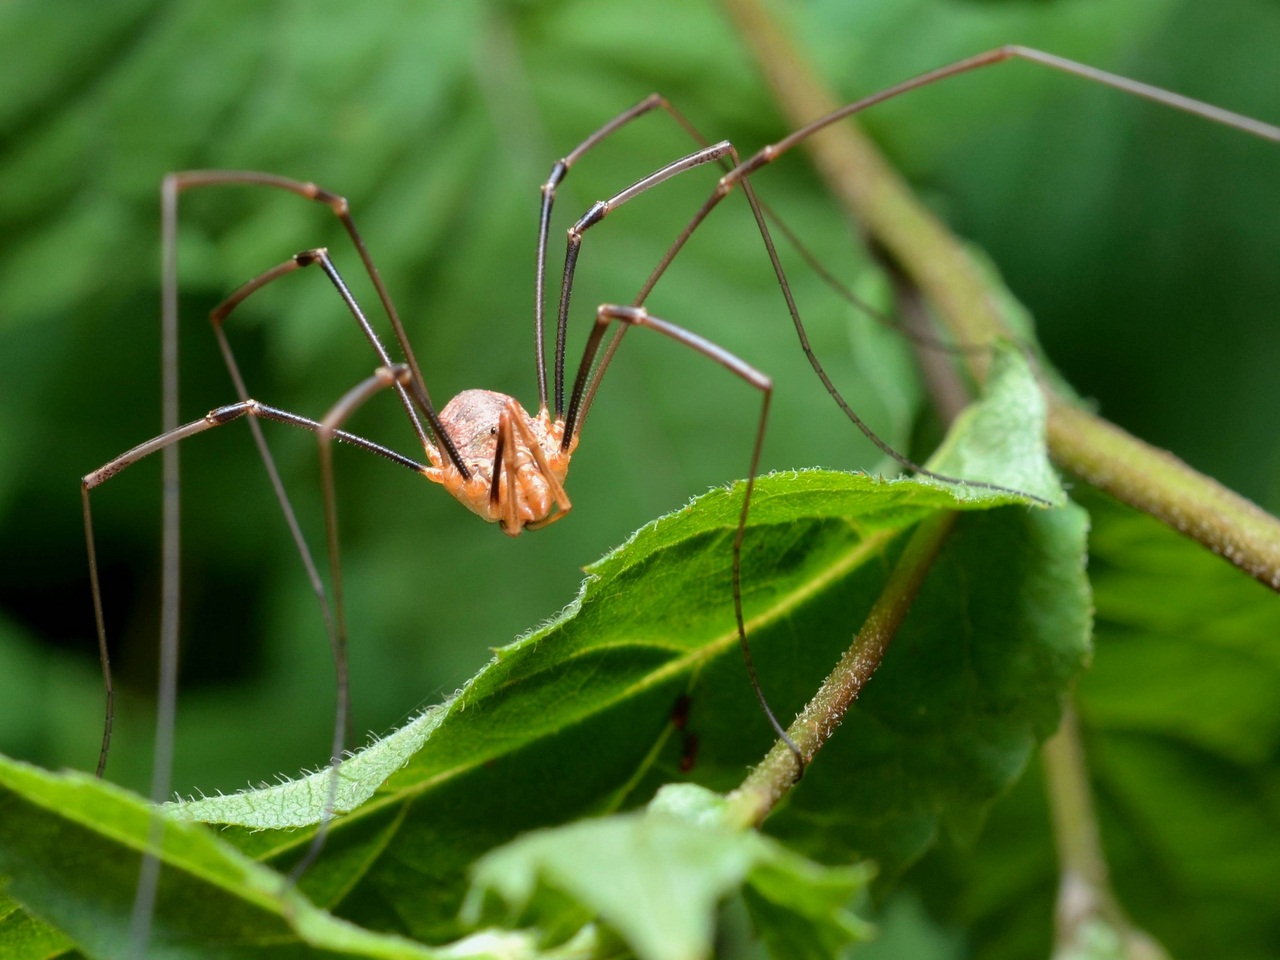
(1181, 737)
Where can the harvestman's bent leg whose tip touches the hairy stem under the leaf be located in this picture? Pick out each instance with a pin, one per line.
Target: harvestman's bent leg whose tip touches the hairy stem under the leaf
(639, 317)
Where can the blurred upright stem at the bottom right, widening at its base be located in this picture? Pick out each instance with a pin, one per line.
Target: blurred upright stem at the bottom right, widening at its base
(1085, 897)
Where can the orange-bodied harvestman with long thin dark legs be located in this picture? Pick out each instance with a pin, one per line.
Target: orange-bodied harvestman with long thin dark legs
(502, 463)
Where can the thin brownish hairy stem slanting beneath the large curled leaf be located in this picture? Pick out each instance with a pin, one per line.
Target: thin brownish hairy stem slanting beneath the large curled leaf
(780, 770)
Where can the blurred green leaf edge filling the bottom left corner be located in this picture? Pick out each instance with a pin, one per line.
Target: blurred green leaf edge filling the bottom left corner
(71, 848)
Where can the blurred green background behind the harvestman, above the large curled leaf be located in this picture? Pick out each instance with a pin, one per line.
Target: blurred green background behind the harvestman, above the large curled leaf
(1144, 241)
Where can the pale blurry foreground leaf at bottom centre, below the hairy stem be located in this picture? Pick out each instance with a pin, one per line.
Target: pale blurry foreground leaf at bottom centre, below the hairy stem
(657, 877)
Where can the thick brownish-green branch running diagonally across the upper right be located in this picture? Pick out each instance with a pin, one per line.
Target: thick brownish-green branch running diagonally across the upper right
(1081, 442)
